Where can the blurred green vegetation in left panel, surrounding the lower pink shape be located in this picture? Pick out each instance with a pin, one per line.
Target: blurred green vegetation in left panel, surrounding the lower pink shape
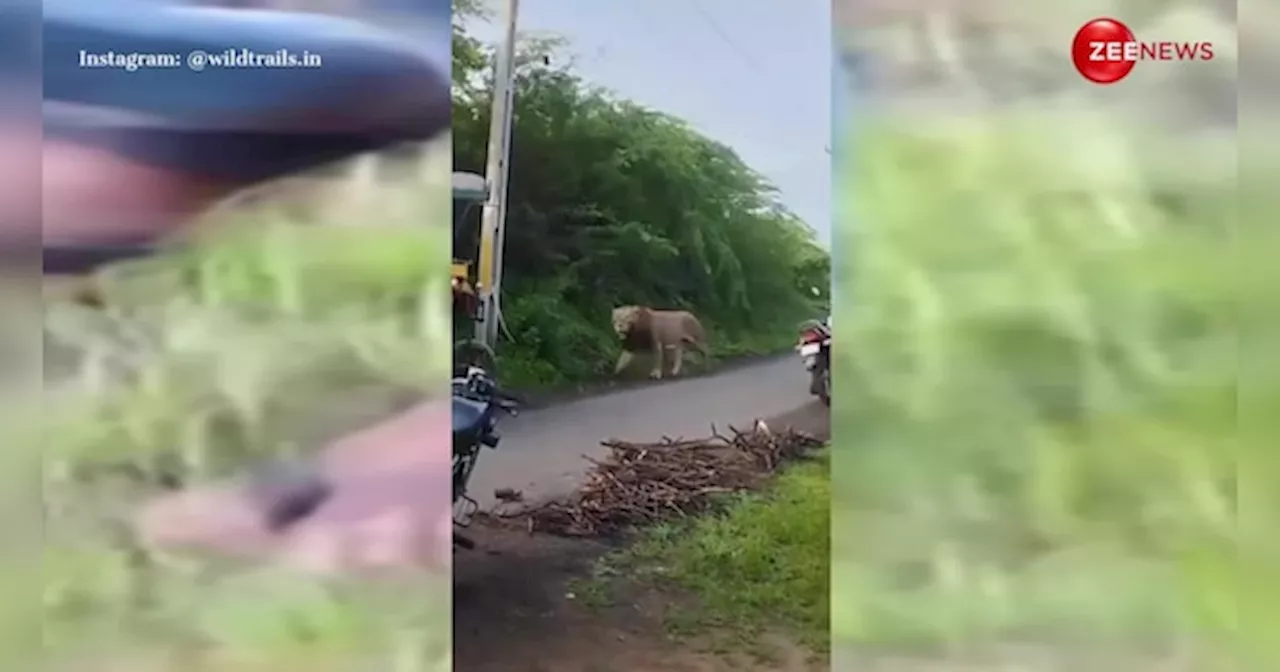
(276, 331)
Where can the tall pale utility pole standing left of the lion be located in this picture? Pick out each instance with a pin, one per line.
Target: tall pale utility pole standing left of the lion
(493, 220)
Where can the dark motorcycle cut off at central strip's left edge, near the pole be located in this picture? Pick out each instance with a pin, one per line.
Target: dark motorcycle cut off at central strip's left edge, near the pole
(477, 405)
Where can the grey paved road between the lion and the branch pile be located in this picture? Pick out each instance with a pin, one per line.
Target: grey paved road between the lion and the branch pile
(542, 450)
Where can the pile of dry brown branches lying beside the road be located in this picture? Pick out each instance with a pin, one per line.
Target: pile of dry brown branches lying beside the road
(646, 483)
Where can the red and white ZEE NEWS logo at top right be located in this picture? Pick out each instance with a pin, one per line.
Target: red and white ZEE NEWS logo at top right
(1105, 51)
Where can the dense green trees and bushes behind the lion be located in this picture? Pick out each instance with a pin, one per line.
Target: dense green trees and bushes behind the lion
(615, 204)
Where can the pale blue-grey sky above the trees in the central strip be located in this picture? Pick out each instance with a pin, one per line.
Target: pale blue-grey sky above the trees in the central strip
(755, 75)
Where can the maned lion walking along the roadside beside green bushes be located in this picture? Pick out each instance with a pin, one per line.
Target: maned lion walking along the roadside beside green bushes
(659, 331)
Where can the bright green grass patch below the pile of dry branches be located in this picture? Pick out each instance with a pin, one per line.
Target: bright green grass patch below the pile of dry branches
(761, 565)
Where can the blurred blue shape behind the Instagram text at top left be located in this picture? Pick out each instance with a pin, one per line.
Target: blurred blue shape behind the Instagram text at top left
(373, 90)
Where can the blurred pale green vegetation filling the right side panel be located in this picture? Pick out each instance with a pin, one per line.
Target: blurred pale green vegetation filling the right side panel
(1036, 422)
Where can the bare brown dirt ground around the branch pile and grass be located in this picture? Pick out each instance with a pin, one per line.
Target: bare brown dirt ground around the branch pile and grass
(515, 610)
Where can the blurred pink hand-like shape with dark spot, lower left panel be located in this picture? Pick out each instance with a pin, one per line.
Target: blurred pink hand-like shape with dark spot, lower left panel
(390, 508)
